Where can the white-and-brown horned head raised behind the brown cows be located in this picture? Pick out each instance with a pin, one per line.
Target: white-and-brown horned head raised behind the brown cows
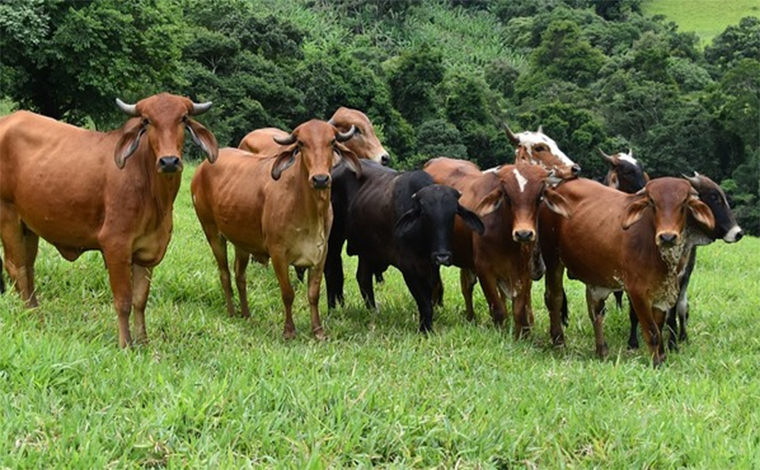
(537, 148)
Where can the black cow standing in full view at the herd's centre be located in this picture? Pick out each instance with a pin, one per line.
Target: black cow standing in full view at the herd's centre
(392, 218)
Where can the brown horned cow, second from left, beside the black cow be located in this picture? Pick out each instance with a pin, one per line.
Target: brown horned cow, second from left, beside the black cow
(269, 211)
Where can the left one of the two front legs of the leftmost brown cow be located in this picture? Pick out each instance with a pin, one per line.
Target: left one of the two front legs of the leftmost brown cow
(119, 264)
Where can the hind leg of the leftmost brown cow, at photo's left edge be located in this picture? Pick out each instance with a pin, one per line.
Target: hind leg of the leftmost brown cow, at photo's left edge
(16, 263)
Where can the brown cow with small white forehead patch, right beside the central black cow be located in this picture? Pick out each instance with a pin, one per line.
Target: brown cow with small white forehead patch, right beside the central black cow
(507, 201)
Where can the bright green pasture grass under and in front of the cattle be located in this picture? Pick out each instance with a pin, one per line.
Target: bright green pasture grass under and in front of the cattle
(209, 391)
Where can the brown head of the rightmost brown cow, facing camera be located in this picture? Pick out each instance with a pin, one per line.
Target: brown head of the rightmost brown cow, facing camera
(670, 199)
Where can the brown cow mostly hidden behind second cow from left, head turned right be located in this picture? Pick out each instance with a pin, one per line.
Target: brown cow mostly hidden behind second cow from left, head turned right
(364, 143)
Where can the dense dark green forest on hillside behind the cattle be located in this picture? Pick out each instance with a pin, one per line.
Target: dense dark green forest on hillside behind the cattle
(437, 77)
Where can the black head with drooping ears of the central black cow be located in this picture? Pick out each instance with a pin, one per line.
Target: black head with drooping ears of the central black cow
(432, 217)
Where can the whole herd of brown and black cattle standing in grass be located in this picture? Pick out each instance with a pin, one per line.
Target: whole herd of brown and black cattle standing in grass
(296, 198)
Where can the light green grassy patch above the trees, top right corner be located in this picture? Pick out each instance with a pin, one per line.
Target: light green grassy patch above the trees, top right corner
(707, 18)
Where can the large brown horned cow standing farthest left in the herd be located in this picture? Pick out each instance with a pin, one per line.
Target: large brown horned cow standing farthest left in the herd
(59, 182)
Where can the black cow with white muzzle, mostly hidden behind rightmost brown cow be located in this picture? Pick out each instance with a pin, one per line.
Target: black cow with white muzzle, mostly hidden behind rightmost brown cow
(725, 227)
